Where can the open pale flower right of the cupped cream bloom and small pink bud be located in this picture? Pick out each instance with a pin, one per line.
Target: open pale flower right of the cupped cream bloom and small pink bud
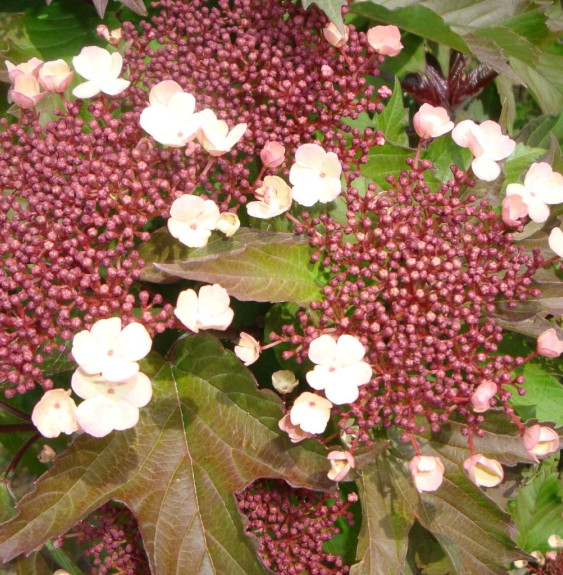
(315, 175)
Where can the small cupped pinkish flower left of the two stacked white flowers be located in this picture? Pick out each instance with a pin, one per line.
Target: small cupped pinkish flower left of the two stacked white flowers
(55, 413)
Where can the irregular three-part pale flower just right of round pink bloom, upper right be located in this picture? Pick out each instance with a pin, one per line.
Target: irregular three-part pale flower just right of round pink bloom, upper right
(488, 145)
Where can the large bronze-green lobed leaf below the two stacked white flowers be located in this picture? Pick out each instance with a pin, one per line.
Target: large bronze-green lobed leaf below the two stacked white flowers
(207, 433)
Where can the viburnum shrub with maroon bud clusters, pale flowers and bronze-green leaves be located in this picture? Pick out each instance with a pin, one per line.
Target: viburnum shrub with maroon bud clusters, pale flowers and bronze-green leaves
(273, 346)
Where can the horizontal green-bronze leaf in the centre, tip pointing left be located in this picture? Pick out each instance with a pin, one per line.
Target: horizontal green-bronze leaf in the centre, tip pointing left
(258, 266)
